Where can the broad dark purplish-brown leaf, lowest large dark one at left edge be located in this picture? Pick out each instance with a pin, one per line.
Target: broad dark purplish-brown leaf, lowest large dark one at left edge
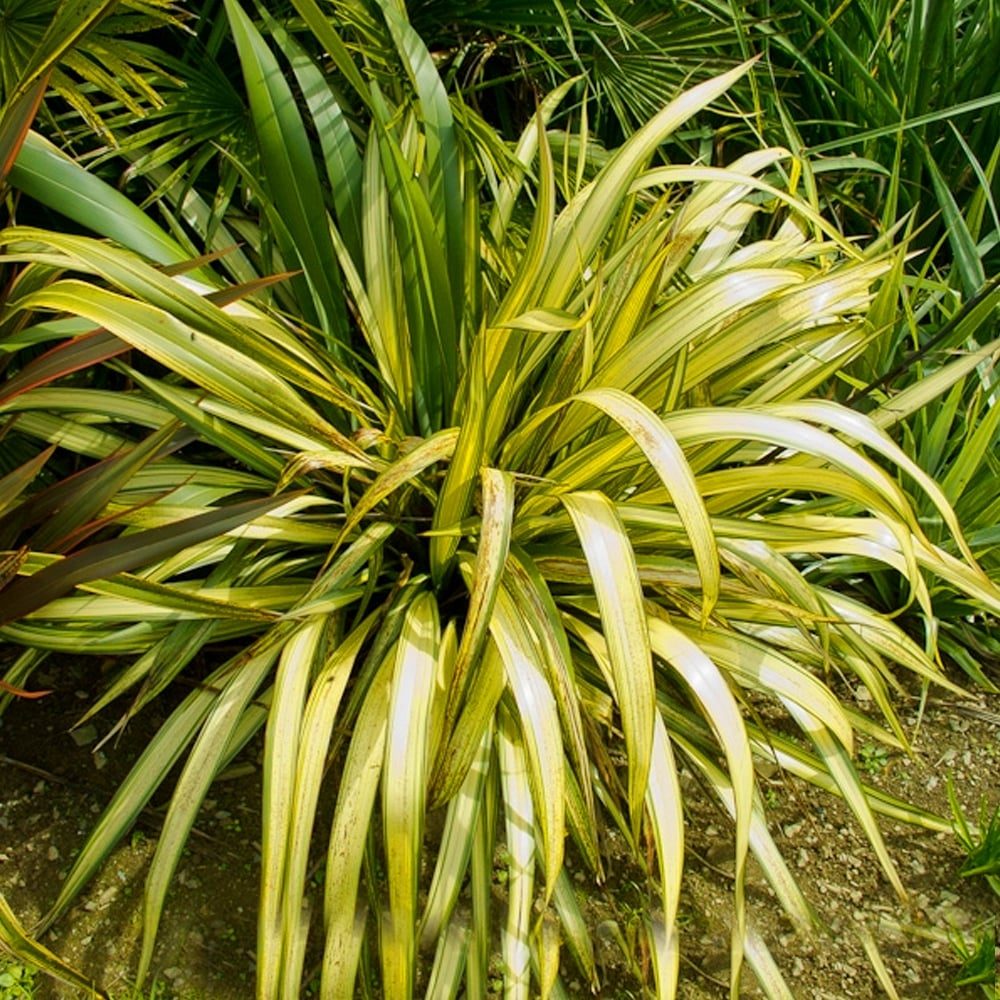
(126, 553)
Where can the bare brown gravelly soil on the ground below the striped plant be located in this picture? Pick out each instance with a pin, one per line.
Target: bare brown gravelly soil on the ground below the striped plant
(53, 785)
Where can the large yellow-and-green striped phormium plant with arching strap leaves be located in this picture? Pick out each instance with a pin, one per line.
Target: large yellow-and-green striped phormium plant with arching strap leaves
(501, 500)
